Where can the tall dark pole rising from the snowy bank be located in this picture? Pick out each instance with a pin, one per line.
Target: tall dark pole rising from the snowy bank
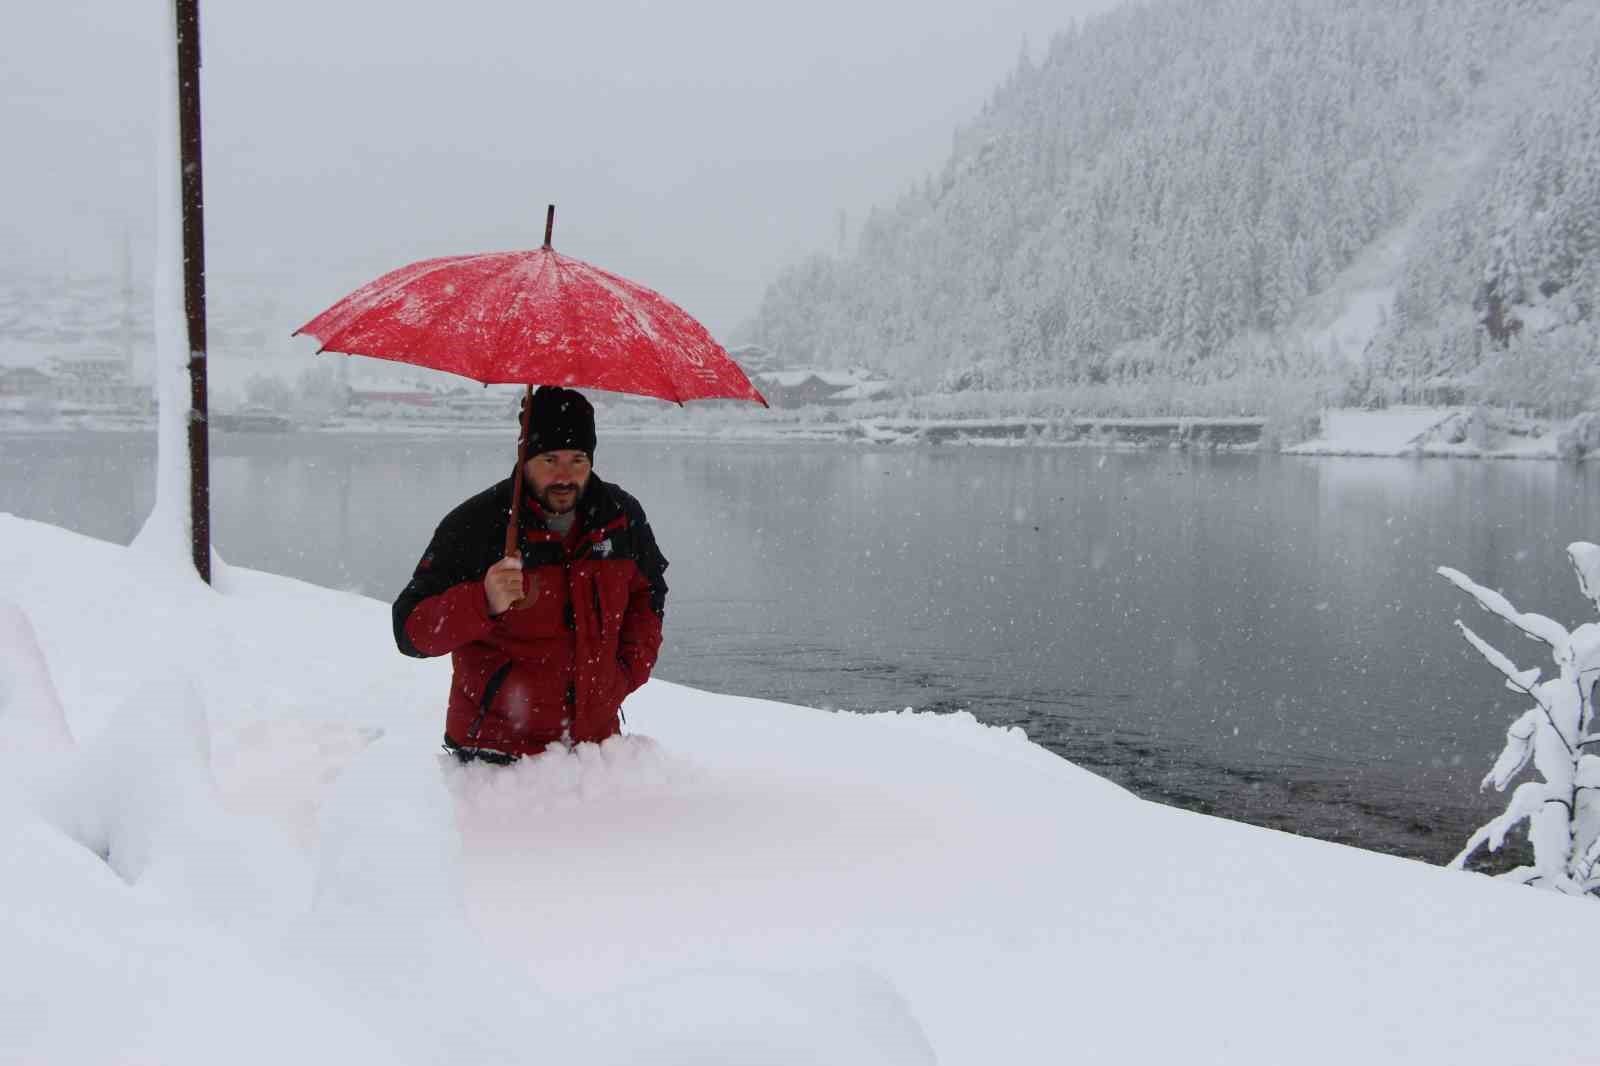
(188, 14)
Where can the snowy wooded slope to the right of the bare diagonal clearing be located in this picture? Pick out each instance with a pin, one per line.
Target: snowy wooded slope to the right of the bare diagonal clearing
(1500, 292)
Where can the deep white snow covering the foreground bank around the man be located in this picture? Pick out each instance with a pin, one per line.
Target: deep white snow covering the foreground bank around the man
(228, 836)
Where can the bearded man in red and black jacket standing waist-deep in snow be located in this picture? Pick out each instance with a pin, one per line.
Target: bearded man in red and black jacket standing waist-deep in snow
(548, 644)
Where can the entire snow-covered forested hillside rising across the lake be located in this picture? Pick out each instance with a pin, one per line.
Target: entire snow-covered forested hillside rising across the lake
(1194, 191)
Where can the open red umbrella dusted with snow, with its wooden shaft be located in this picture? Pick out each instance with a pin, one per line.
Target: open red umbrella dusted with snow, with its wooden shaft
(534, 318)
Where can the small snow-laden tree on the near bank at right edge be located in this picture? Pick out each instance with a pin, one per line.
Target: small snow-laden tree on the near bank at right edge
(1558, 734)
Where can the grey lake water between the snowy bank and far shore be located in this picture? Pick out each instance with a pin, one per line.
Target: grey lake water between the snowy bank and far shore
(1260, 638)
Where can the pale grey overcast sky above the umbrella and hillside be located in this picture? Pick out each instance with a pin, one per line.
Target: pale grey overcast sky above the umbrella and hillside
(695, 146)
